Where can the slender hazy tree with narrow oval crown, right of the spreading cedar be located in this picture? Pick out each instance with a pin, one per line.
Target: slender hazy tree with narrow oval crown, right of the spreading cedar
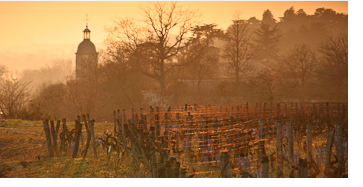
(238, 49)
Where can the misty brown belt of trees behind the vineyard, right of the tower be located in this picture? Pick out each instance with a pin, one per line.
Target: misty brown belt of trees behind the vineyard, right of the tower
(166, 59)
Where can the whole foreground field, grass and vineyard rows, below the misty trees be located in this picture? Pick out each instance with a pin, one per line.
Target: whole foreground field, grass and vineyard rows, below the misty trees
(195, 137)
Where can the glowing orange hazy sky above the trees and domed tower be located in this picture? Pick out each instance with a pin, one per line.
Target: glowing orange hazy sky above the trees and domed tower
(26, 26)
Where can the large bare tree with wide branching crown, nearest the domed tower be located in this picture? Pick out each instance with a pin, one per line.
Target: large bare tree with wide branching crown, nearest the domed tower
(163, 20)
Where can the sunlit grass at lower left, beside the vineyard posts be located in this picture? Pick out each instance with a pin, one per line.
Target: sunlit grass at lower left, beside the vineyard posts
(24, 141)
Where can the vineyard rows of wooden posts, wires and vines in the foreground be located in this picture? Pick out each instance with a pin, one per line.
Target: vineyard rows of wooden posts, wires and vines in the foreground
(255, 141)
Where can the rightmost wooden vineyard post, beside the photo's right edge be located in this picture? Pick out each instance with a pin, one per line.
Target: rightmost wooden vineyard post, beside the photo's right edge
(339, 149)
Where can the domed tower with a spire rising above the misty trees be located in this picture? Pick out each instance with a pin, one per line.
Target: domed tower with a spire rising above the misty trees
(86, 56)
